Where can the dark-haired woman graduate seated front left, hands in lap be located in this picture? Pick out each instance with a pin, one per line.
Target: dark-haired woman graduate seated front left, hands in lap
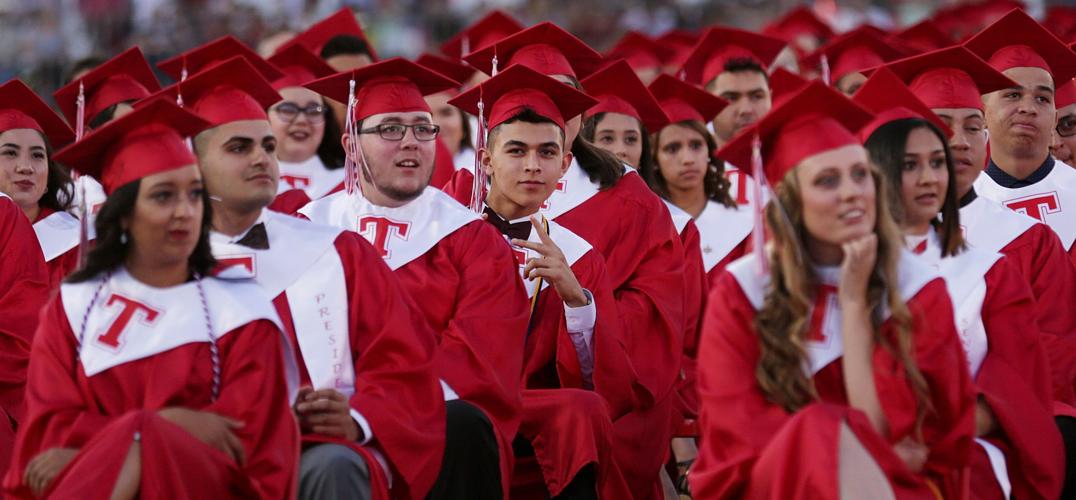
(148, 376)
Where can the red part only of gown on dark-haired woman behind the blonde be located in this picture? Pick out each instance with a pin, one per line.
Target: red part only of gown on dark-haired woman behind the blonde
(1015, 382)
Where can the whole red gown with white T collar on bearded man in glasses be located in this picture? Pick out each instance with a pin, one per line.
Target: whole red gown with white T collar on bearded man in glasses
(461, 275)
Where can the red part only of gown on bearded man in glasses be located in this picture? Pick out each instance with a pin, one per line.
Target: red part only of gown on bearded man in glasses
(469, 289)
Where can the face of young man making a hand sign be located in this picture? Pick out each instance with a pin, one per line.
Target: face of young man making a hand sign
(525, 163)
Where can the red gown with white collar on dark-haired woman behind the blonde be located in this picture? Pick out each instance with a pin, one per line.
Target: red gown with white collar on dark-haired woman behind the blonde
(1010, 369)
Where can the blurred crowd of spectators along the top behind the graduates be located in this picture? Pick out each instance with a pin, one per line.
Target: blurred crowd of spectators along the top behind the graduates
(41, 39)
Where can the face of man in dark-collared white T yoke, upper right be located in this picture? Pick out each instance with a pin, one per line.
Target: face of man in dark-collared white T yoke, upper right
(1022, 119)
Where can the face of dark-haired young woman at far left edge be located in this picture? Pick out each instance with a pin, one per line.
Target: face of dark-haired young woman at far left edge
(24, 166)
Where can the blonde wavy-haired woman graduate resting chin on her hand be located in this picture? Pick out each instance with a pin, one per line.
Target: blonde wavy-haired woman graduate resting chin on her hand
(825, 369)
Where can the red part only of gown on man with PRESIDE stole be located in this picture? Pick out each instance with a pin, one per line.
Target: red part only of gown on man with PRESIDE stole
(397, 388)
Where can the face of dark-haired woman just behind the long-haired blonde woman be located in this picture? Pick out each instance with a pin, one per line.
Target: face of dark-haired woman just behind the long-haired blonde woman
(924, 178)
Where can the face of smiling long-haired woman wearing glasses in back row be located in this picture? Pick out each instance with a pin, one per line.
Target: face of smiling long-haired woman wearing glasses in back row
(299, 136)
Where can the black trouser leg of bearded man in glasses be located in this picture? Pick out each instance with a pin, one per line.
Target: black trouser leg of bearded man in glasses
(472, 465)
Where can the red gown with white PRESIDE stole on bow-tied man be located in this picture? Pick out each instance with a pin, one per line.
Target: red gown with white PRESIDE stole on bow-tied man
(332, 291)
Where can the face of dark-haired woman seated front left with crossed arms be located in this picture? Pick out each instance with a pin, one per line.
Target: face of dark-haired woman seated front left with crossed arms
(166, 223)
